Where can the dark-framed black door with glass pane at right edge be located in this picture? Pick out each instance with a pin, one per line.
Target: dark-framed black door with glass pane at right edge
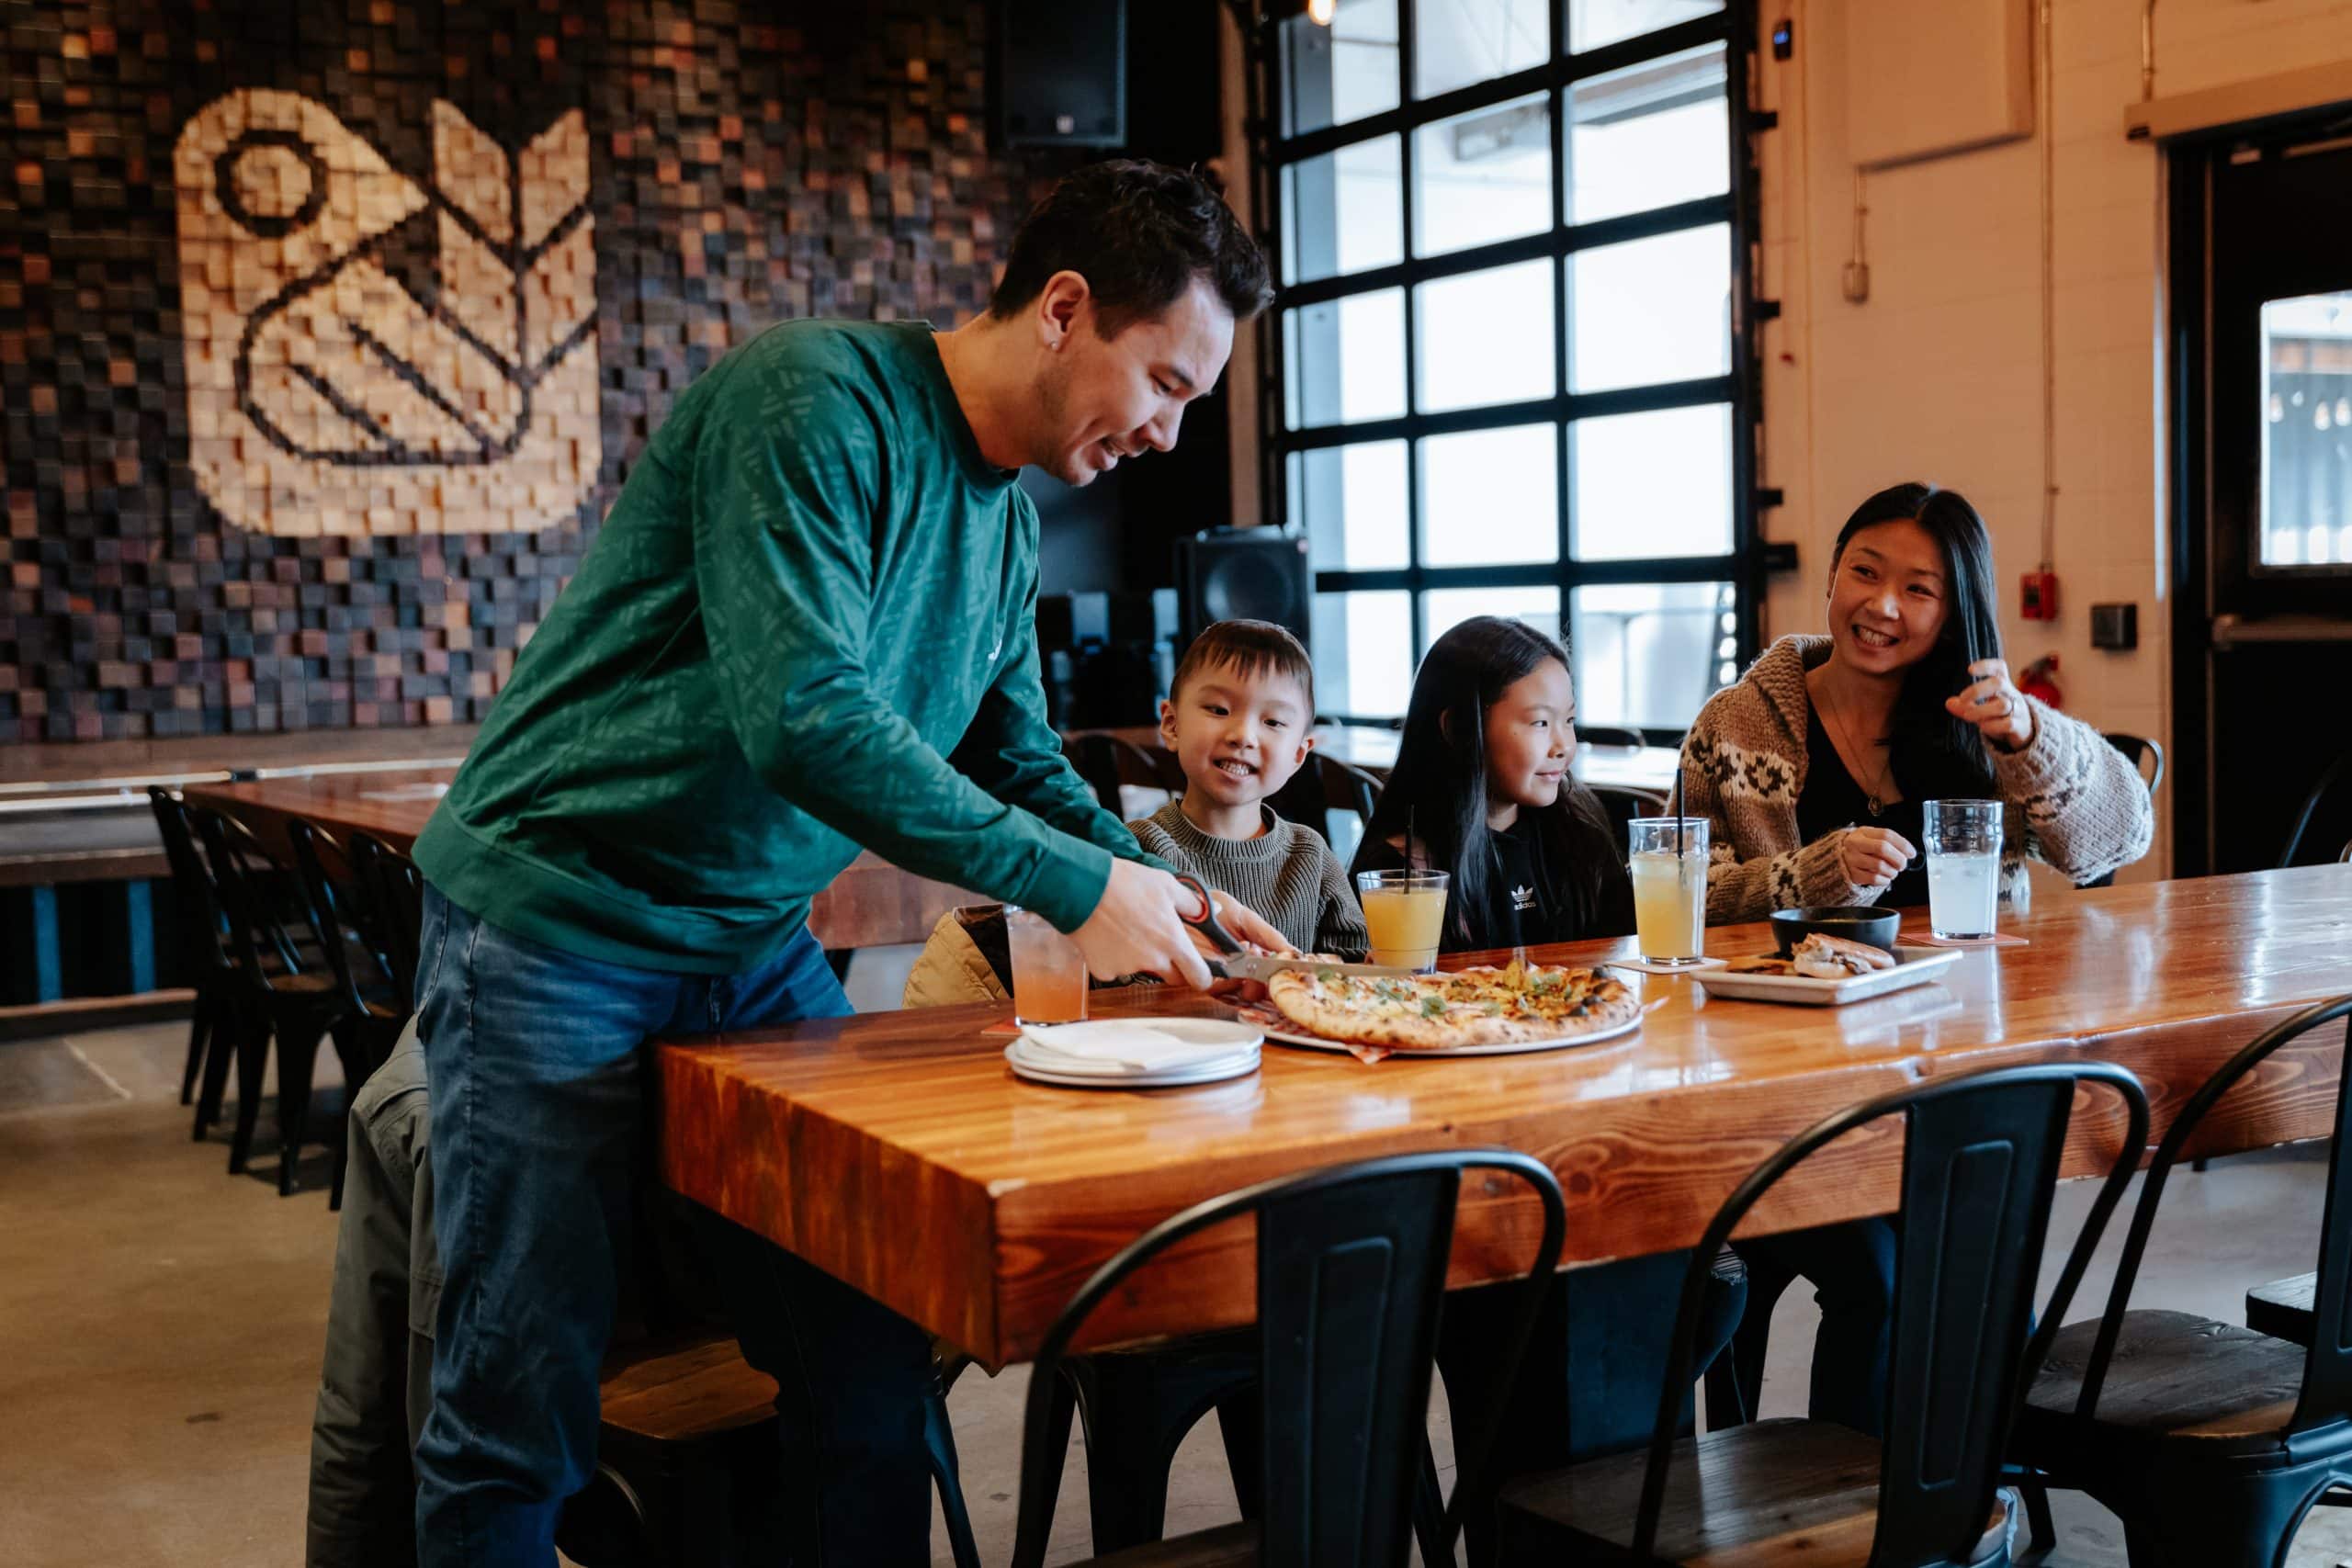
(2264, 490)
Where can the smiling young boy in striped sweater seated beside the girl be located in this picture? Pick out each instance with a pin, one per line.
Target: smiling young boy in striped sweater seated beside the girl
(1241, 718)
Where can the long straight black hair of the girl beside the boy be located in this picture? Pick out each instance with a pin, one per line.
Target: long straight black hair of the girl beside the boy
(1441, 782)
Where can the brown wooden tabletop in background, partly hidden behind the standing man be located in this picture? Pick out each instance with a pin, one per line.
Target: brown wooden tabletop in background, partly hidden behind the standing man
(874, 904)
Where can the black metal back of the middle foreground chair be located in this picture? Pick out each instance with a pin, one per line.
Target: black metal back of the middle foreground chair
(1982, 1160)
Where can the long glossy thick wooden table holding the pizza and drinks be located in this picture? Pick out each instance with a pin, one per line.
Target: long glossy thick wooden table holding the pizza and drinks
(902, 1155)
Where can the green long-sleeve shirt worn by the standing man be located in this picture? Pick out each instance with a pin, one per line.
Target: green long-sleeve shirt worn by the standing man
(808, 626)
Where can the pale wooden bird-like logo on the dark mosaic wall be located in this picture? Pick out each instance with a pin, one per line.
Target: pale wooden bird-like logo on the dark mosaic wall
(382, 356)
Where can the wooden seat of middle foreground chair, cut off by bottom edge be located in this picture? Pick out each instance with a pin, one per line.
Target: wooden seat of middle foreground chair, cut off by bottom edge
(1768, 1494)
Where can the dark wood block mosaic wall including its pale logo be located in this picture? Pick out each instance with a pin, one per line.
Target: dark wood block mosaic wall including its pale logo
(330, 330)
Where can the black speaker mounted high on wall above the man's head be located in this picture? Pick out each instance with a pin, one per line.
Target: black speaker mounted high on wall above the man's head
(1060, 74)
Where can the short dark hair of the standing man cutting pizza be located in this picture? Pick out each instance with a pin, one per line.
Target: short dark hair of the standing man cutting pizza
(1140, 234)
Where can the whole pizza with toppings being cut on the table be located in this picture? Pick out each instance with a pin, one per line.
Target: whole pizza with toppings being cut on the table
(1450, 1012)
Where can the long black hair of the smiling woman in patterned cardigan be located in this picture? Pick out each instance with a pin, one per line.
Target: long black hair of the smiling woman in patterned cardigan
(1937, 753)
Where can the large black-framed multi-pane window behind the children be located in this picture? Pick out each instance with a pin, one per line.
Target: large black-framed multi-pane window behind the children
(1509, 366)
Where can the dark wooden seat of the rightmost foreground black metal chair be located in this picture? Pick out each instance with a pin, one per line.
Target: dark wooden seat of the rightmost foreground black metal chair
(2174, 1379)
